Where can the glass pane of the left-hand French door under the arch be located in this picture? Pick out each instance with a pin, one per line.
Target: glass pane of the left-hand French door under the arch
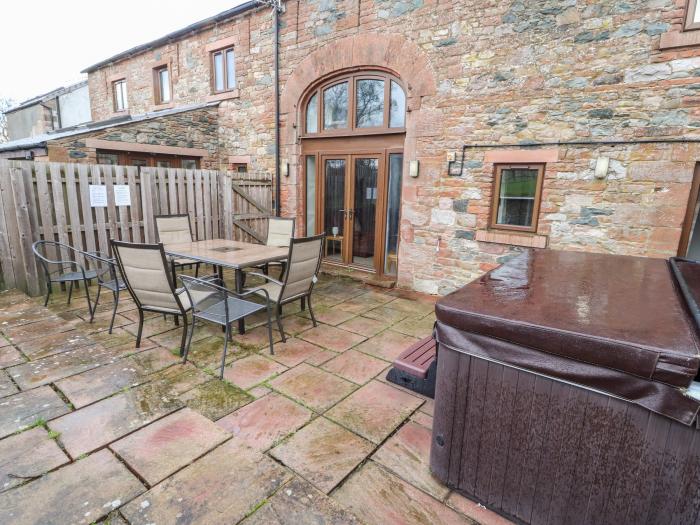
(334, 207)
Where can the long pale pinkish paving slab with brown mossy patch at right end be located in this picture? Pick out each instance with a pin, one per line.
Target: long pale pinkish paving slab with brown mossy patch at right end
(99, 424)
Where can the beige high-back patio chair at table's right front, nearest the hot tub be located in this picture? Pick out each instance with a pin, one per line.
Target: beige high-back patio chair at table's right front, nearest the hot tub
(303, 264)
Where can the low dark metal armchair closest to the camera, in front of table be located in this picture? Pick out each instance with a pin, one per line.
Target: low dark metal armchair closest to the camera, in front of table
(211, 315)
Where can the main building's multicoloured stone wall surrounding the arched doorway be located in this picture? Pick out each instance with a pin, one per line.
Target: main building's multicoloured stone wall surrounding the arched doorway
(504, 73)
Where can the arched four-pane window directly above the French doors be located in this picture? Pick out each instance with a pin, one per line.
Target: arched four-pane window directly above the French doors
(361, 103)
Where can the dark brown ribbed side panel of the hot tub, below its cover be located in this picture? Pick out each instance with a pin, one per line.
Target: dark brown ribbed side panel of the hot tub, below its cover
(542, 451)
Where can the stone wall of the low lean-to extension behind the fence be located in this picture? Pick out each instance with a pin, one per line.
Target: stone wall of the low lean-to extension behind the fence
(190, 129)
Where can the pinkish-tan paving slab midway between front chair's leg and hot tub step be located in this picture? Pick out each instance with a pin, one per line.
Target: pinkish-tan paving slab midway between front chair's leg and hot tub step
(313, 387)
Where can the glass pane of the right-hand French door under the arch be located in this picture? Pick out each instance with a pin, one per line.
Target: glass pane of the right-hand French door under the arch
(364, 210)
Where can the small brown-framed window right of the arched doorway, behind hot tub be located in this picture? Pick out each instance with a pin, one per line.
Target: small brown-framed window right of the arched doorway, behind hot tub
(516, 199)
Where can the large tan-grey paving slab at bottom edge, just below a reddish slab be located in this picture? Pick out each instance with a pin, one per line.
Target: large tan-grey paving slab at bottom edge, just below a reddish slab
(221, 487)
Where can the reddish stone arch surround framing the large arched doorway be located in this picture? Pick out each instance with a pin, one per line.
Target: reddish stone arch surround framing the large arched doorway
(391, 52)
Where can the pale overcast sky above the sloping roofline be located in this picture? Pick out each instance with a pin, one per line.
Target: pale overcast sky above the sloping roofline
(45, 44)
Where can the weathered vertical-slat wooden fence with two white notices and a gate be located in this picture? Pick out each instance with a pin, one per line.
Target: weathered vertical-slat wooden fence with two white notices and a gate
(52, 201)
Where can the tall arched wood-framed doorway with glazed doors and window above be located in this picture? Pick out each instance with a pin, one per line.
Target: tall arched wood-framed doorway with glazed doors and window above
(352, 145)
